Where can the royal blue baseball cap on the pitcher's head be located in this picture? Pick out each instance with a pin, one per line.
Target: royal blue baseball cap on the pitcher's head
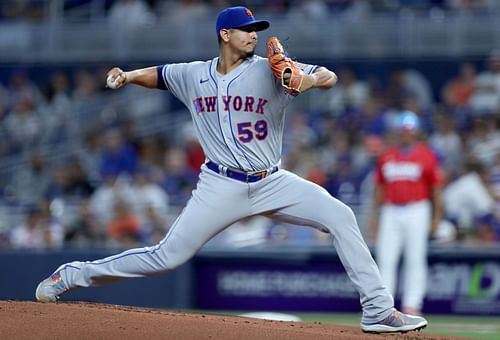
(238, 17)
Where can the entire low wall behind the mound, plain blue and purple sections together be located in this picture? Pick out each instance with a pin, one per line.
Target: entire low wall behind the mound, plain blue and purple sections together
(461, 281)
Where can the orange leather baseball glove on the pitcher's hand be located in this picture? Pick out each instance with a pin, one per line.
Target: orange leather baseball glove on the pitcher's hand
(281, 65)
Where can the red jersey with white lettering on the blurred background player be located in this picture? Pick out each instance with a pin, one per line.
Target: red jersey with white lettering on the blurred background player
(408, 175)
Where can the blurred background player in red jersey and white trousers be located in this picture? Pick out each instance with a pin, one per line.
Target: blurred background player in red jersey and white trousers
(407, 198)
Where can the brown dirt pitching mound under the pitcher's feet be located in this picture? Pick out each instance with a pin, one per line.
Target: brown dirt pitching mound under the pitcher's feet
(33, 320)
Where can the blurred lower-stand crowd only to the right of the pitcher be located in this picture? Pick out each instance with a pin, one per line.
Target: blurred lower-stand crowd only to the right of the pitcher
(336, 143)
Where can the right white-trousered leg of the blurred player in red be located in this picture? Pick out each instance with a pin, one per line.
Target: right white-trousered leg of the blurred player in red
(415, 263)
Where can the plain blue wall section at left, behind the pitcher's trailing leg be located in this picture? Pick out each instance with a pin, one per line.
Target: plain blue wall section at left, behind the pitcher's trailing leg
(21, 272)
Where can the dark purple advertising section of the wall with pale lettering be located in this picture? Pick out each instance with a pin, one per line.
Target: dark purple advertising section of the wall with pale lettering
(461, 281)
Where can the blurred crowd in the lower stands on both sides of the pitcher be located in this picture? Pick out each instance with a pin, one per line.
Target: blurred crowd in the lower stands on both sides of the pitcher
(115, 184)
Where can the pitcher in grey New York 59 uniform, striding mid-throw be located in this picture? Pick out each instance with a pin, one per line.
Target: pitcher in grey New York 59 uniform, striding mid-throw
(237, 106)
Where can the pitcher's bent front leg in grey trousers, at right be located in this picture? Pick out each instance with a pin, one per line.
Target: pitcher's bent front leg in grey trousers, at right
(298, 201)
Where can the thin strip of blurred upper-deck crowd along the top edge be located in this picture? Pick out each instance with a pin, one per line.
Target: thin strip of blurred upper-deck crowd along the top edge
(148, 11)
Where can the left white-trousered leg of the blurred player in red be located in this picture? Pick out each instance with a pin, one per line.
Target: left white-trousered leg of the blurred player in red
(389, 246)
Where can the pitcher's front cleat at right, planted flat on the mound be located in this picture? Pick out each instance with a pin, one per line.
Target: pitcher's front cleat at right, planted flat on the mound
(396, 322)
